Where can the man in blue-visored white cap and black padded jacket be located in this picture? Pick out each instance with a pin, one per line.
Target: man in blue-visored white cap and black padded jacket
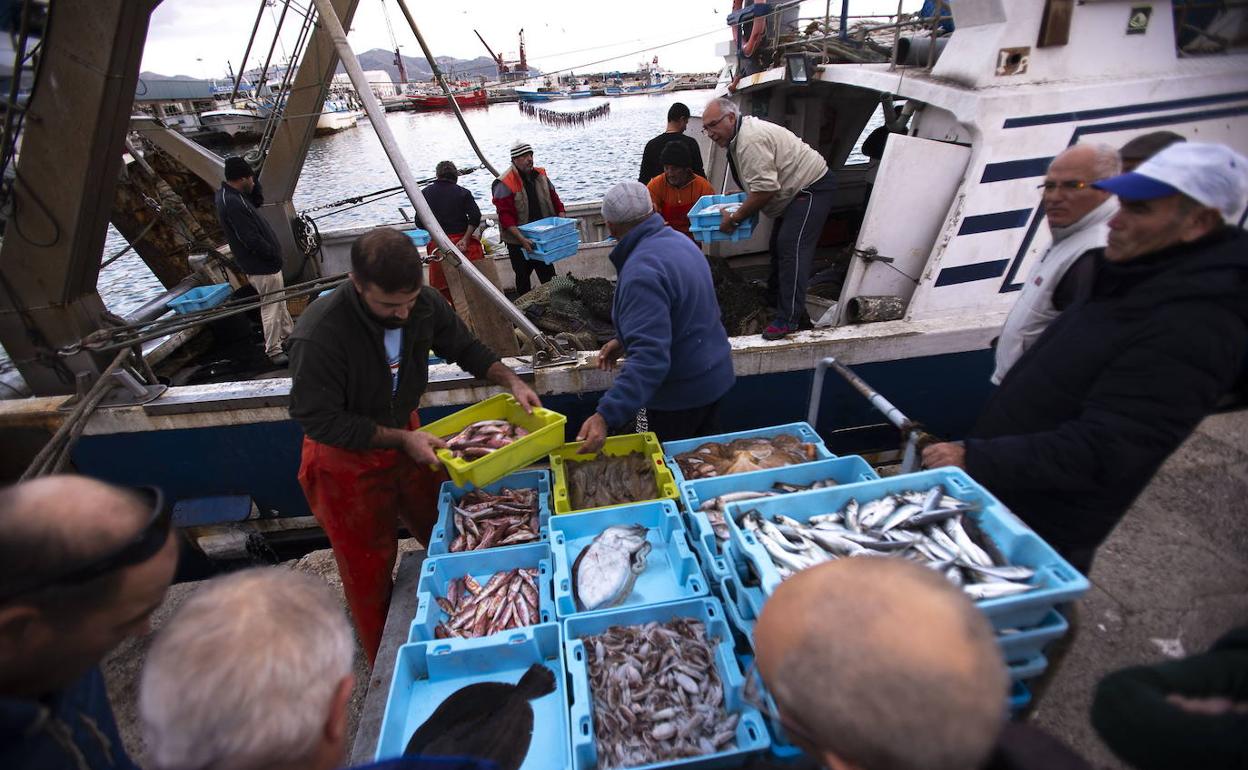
(1090, 412)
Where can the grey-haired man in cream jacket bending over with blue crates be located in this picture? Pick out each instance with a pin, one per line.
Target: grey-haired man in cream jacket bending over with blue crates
(788, 180)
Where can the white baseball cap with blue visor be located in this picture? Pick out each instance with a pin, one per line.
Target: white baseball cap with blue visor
(1211, 175)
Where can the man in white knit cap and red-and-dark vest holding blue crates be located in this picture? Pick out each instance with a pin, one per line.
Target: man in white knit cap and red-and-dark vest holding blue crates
(525, 195)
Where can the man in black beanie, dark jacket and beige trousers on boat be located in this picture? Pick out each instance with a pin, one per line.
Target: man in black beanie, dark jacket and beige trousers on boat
(255, 249)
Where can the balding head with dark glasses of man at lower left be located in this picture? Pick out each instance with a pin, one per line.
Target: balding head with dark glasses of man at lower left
(54, 628)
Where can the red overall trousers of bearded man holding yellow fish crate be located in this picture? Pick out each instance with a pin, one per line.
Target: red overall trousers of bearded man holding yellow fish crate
(359, 499)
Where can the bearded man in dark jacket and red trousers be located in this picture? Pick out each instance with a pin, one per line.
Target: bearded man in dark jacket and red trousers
(360, 366)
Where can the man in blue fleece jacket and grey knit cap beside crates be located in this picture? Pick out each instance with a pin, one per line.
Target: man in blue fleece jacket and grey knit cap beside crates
(680, 363)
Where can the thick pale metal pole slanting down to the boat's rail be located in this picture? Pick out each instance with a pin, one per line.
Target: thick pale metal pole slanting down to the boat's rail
(545, 348)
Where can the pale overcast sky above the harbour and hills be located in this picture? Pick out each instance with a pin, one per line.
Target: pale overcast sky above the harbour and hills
(198, 38)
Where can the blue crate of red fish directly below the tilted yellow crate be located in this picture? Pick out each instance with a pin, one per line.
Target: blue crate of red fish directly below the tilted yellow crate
(512, 512)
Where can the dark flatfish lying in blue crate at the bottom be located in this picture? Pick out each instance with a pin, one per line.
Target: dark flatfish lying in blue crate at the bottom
(490, 721)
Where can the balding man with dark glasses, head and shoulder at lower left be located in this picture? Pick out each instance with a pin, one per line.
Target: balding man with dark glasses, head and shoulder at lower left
(83, 568)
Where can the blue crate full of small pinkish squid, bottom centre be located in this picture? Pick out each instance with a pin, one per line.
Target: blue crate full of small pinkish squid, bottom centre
(673, 670)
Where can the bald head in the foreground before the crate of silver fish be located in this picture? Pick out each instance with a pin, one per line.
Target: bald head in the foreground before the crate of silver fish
(885, 665)
